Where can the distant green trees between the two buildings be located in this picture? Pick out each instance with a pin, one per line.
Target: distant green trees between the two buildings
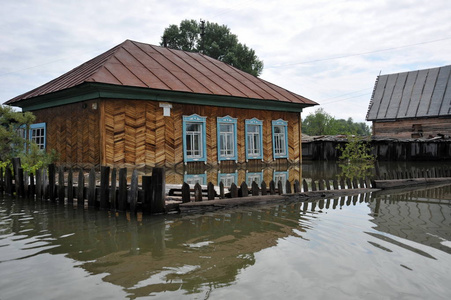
(322, 123)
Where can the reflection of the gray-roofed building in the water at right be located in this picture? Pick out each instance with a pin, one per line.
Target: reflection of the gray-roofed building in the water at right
(420, 216)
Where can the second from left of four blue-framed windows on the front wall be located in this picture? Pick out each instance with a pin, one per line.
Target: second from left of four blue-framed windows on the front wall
(227, 146)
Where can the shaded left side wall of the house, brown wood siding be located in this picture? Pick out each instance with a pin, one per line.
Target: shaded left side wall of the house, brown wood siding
(73, 131)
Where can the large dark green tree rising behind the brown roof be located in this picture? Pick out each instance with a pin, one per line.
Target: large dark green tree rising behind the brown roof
(216, 41)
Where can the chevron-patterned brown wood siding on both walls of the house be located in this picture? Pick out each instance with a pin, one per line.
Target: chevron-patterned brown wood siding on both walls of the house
(134, 132)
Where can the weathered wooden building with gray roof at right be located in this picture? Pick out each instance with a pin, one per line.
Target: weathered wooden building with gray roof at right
(412, 104)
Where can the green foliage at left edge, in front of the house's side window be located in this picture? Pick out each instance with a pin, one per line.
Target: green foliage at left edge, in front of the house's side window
(13, 144)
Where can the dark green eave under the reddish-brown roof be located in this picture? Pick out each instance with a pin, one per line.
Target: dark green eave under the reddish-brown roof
(90, 91)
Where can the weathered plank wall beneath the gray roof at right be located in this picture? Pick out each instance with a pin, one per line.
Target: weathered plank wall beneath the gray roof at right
(405, 128)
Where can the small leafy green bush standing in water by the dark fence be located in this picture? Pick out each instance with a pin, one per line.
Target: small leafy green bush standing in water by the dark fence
(356, 160)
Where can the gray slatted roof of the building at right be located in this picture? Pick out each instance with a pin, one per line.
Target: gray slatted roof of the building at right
(416, 94)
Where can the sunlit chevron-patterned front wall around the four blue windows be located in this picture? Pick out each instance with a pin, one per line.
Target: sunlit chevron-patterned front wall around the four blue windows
(135, 132)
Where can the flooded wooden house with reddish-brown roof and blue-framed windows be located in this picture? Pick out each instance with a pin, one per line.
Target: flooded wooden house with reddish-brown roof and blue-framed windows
(139, 104)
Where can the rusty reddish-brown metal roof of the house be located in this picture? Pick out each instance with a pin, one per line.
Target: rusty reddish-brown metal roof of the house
(142, 65)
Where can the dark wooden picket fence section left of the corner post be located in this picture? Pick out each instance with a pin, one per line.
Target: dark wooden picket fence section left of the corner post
(107, 190)
